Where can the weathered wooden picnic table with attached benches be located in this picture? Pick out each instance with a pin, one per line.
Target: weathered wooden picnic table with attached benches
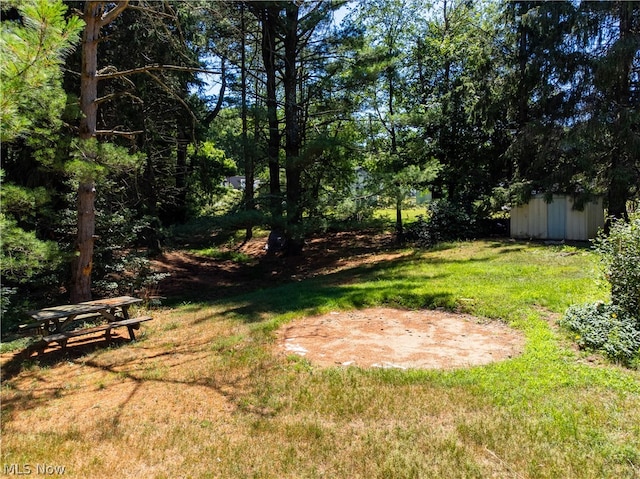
(60, 323)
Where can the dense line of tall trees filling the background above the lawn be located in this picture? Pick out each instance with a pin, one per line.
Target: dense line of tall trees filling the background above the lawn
(120, 119)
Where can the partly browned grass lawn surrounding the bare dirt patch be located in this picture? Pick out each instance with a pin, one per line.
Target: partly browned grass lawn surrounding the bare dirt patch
(204, 394)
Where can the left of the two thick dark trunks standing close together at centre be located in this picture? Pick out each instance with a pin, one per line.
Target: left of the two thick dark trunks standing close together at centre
(269, 20)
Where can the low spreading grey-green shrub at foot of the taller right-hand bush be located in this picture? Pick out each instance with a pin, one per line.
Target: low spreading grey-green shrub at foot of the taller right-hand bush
(605, 327)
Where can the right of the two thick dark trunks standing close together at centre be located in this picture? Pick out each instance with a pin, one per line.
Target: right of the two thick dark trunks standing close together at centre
(292, 133)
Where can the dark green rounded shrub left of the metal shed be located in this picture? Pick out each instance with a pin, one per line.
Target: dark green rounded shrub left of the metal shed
(446, 221)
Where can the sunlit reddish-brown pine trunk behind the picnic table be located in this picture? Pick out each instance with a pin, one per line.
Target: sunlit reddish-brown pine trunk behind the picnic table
(95, 19)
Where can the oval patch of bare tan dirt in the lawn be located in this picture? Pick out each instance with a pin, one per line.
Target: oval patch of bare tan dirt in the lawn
(392, 338)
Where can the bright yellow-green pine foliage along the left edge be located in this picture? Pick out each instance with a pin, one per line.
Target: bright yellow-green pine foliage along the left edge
(34, 40)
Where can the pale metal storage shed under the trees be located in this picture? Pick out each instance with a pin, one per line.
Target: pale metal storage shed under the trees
(557, 220)
